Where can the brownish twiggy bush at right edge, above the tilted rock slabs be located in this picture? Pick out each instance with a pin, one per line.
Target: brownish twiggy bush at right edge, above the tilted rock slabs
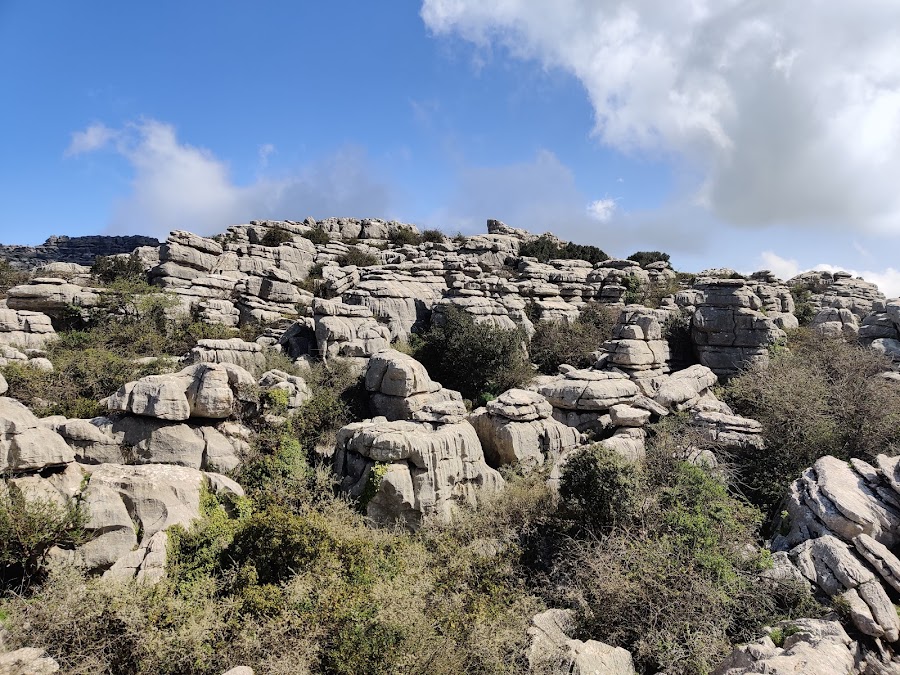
(820, 397)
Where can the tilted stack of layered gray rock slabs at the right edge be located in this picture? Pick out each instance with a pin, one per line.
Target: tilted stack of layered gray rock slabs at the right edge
(842, 522)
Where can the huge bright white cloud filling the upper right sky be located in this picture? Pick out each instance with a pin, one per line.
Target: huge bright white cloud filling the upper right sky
(790, 111)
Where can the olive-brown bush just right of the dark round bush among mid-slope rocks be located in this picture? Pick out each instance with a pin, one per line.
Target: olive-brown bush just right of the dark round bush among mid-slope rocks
(556, 342)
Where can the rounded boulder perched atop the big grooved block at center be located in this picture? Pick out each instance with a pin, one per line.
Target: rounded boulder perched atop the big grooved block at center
(400, 387)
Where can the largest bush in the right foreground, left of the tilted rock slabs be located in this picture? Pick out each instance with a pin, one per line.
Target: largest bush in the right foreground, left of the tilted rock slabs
(670, 572)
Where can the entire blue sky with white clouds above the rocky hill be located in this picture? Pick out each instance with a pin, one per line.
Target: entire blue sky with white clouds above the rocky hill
(728, 133)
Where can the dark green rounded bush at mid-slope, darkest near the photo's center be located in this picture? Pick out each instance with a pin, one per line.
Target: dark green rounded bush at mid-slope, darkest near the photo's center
(473, 358)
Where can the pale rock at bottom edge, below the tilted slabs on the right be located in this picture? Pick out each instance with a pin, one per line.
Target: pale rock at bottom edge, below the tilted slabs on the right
(814, 647)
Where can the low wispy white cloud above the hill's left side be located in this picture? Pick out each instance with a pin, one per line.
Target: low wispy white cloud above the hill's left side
(179, 186)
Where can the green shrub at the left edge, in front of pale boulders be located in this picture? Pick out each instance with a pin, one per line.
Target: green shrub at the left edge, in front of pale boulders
(29, 527)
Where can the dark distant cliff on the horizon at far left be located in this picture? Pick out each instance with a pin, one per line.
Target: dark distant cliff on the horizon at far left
(81, 250)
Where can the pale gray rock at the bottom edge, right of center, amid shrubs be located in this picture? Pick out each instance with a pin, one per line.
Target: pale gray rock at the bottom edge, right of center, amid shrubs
(553, 652)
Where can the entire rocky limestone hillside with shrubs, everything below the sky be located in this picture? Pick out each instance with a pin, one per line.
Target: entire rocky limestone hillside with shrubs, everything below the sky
(491, 449)
